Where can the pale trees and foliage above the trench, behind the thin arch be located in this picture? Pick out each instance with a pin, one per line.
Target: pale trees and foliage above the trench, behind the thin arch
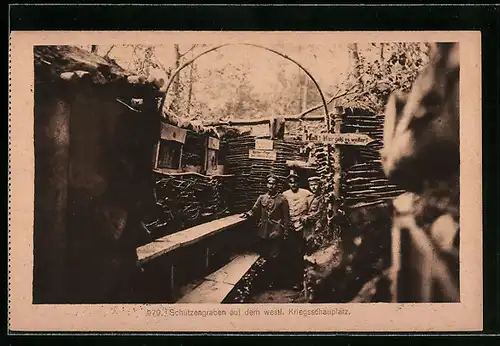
(229, 88)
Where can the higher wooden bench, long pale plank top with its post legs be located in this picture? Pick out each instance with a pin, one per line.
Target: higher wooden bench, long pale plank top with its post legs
(181, 240)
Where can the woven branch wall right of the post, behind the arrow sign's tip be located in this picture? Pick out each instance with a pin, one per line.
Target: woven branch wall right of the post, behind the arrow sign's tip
(365, 182)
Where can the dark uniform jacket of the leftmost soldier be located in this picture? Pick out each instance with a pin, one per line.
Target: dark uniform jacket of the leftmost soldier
(273, 214)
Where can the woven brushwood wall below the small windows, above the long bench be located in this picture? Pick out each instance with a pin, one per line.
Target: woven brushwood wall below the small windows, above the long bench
(188, 200)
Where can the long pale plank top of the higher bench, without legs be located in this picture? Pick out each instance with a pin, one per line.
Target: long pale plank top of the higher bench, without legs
(186, 237)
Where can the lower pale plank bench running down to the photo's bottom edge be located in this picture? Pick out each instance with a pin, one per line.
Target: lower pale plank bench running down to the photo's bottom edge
(216, 286)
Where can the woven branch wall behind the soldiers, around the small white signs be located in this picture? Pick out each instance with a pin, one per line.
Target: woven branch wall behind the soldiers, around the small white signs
(250, 181)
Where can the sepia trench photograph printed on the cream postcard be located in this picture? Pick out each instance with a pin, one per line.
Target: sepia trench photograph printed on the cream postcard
(247, 173)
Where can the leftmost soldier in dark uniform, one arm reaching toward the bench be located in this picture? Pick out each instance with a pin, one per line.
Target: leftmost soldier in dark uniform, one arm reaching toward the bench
(273, 214)
